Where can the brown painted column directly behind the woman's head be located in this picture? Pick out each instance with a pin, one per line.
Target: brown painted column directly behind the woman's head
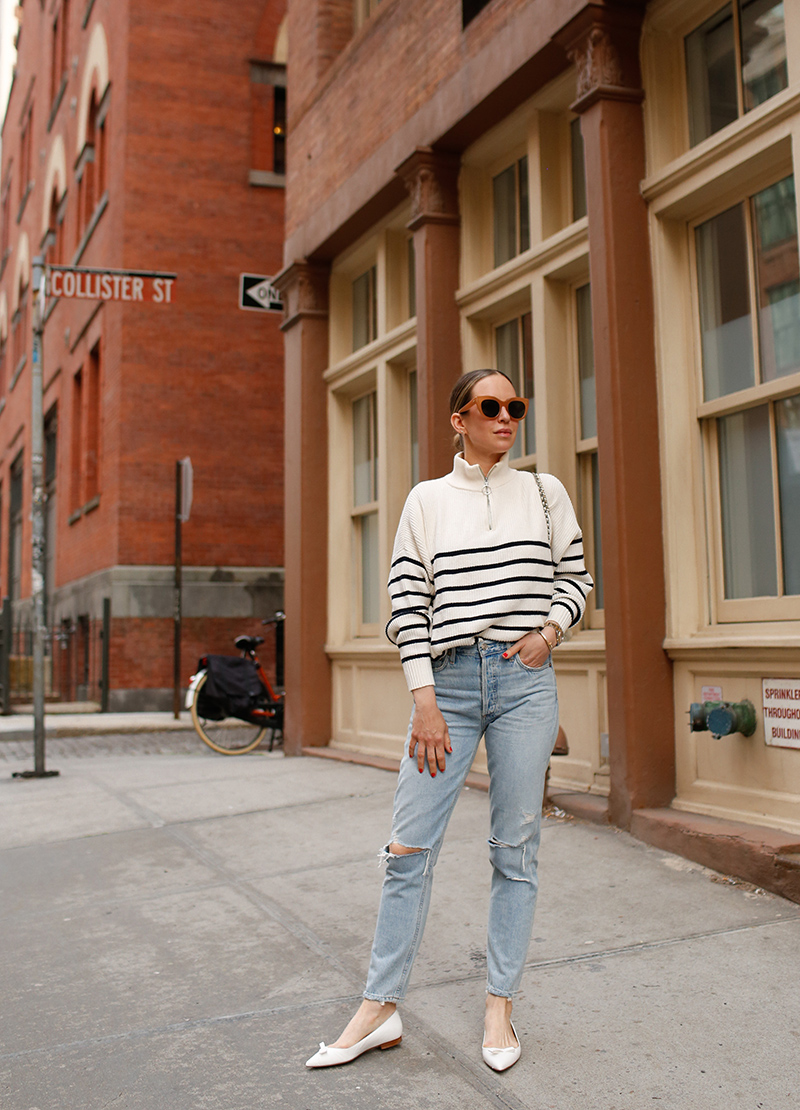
(432, 180)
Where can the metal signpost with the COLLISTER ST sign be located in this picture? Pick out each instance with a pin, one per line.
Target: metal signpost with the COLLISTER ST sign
(82, 284)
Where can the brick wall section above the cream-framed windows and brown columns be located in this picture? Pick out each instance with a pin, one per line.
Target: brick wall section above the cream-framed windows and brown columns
(386, 79)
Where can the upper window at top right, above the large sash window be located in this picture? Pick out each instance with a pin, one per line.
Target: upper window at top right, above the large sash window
(734, 63)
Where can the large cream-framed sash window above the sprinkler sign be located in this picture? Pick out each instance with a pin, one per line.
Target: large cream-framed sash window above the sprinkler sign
(748, 281)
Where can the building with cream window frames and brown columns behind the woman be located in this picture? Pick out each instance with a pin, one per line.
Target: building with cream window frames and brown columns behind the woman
(600, 200)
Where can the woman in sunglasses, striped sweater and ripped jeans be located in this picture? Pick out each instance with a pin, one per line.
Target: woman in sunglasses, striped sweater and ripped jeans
(488, 574)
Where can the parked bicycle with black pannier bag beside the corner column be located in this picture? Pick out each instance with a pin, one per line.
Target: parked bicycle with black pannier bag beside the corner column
(237, 735)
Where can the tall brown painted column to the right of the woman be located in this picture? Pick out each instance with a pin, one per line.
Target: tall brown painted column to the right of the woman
(604, 44)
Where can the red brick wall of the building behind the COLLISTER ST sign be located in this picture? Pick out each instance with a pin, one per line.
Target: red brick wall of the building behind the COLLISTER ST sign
(199, 378)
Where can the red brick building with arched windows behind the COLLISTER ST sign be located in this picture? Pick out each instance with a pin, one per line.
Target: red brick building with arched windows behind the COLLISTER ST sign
(145, 136)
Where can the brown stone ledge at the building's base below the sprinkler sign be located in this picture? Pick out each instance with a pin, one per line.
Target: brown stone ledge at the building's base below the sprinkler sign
(766, 857)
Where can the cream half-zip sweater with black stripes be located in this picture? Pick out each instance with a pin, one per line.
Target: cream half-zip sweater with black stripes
(471, 559)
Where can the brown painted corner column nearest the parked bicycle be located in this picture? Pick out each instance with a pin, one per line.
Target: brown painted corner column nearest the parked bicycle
(305, 288)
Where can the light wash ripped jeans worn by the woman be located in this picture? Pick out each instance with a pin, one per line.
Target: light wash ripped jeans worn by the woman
(517, 709)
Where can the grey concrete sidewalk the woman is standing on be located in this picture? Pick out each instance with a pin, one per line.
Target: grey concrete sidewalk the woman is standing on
(180, 931)
